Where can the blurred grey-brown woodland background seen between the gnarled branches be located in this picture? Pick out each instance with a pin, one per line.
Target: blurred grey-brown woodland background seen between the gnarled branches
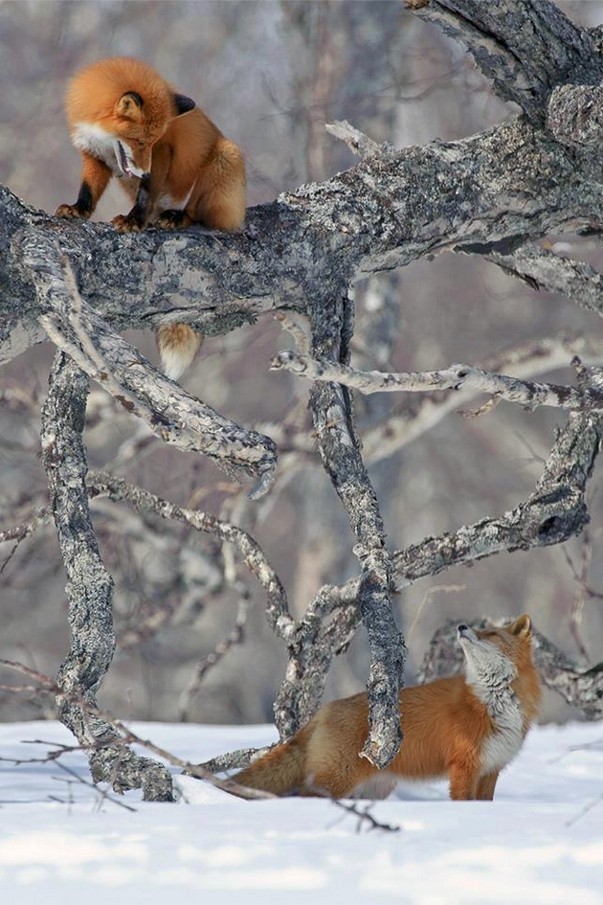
(271, 74)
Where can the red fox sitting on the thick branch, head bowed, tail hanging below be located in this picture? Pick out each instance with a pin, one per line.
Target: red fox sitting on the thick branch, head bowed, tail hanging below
(173, 162)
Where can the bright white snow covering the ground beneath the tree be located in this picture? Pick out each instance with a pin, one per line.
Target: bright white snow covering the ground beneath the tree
(540, 841)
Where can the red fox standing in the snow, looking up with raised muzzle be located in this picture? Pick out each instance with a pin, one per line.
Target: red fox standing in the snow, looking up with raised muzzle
(467, 727)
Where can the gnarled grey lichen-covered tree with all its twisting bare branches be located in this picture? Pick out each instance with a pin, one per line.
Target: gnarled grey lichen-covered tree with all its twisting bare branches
(490, 196)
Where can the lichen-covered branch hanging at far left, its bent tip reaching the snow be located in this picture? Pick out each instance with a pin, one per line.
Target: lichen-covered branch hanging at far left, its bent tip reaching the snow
(89, 589)
